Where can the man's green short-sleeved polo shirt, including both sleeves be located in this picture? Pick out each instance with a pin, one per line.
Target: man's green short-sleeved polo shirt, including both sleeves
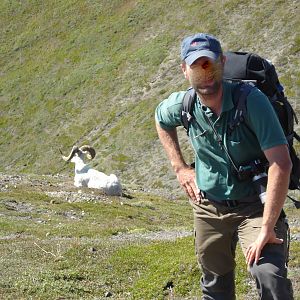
(214, 173)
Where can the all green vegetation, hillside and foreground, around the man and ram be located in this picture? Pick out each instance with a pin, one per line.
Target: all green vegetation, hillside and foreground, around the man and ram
(75, 72)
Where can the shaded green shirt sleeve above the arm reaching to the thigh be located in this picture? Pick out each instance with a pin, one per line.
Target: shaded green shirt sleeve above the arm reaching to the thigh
(264, 121)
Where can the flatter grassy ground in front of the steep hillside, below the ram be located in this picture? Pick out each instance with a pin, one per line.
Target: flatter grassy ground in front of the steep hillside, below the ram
(58, 243)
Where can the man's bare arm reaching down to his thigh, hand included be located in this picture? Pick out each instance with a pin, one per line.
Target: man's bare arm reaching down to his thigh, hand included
(278, 181)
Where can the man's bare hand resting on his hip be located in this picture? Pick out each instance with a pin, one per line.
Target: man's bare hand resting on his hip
(187, 178)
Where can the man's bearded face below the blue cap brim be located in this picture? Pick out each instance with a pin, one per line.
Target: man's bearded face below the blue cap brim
(205, 75)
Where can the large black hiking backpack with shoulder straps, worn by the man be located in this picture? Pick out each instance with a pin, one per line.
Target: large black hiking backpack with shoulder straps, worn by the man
(249, 70)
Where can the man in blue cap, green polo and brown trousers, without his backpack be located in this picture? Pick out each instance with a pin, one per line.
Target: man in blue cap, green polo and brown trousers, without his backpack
(224, 206)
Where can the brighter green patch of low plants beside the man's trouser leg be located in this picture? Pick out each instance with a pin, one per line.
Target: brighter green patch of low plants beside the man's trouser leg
(151, 270)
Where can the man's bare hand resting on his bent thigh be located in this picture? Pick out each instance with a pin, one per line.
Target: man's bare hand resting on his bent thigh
(254, 250)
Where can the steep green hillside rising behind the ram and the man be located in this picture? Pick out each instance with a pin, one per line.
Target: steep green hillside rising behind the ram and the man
(93, 72)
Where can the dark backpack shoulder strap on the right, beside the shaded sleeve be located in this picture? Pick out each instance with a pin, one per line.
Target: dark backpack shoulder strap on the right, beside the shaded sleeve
(240, 94)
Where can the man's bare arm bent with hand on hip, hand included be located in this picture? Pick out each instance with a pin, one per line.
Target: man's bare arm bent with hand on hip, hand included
(185, 174)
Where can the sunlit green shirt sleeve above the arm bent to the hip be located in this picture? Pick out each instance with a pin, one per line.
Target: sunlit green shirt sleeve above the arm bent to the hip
(168, 112)
